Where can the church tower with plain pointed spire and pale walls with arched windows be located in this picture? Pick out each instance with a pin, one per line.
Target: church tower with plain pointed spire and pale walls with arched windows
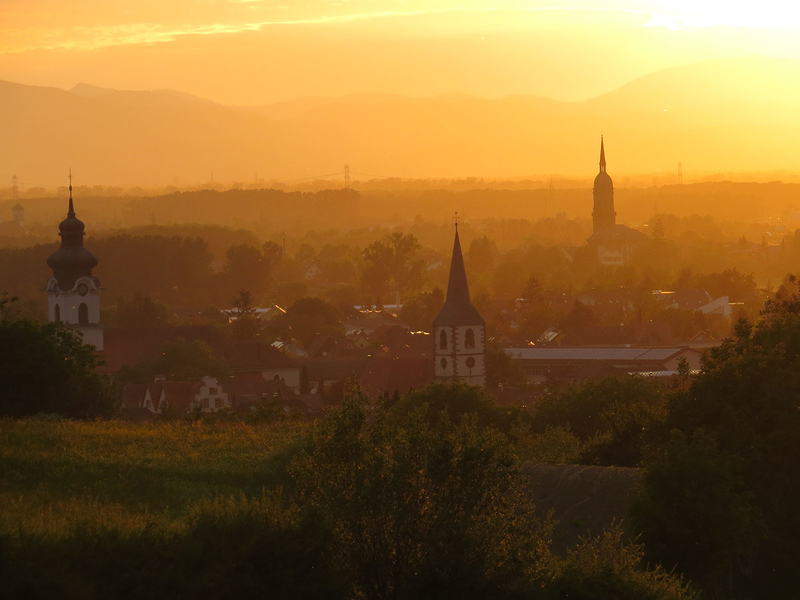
(459, 331)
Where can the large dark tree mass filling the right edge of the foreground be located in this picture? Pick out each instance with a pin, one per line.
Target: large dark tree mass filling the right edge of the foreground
(739, 418)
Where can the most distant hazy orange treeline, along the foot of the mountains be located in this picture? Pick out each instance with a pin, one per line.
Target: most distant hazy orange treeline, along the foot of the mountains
(270, 209)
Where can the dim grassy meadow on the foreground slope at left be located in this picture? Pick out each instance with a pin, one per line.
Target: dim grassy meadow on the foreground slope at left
(59, 475)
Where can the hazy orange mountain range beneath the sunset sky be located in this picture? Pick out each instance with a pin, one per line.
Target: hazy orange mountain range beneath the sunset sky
(724, 115)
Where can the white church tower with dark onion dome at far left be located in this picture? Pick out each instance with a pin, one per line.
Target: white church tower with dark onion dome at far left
(73, 292)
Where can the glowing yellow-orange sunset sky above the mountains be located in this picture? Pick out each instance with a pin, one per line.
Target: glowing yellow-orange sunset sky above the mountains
(251, 52)
